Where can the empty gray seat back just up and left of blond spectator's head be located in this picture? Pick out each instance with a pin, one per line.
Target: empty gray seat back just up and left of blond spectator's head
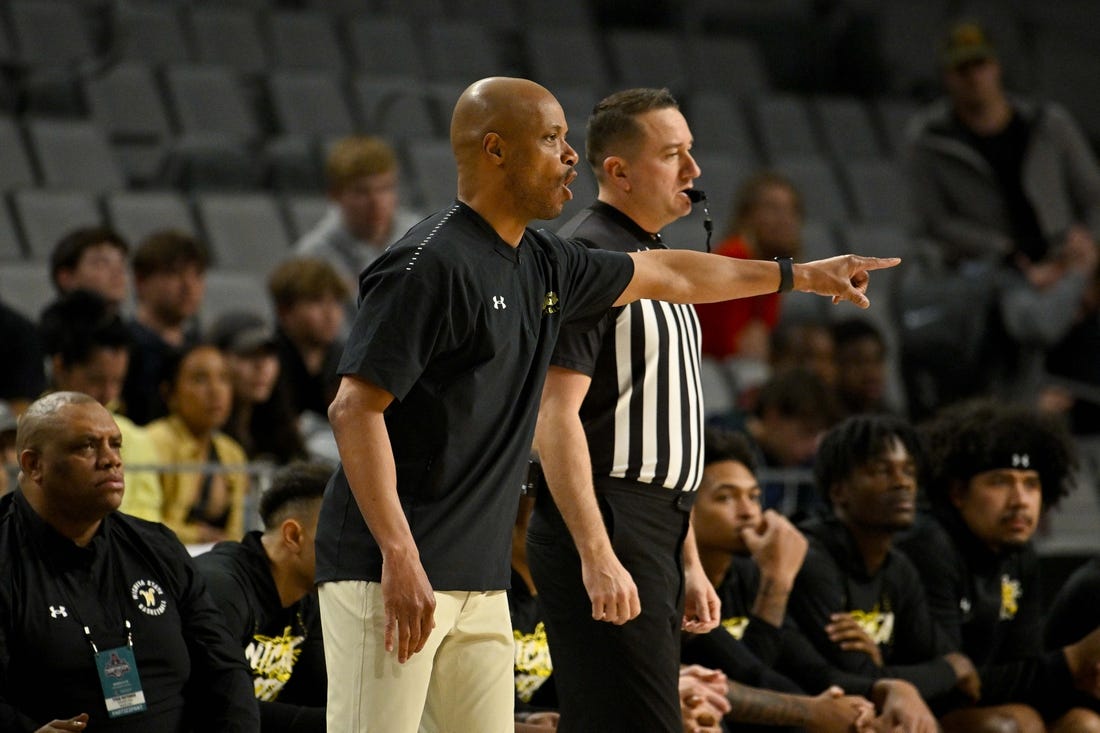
(310, 104)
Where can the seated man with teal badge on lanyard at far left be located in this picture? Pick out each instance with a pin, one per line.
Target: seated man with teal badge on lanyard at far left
(105, 623)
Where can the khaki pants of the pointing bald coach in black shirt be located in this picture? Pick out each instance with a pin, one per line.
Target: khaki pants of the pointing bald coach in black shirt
(461, 682)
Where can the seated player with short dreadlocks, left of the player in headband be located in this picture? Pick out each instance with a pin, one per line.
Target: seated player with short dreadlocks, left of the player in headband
(867, 472)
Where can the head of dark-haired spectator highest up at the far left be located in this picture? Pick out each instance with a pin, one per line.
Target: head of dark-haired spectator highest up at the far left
(94, 259)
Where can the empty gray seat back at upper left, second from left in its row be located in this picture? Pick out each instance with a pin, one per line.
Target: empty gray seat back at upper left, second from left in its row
(74, 156)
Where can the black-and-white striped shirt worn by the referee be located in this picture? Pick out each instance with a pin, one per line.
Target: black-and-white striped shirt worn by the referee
(644, 413)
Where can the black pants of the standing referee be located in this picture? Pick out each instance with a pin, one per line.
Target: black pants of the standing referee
(615, 679)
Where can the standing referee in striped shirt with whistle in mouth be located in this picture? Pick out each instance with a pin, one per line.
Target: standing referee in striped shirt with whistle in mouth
(623, 413)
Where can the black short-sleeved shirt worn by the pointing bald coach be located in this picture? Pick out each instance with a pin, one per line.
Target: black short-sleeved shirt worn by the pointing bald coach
(459, 327)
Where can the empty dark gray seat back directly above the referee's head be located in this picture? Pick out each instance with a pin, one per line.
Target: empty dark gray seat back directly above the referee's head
(648, 59)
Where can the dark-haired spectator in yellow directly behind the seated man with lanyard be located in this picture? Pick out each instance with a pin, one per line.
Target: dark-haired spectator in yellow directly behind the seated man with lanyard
(89, 347)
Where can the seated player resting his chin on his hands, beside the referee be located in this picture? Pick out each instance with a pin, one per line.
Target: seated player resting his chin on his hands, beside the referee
(753, 556)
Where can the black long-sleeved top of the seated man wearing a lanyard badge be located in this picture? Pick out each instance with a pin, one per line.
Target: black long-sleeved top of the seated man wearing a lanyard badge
(192, 672)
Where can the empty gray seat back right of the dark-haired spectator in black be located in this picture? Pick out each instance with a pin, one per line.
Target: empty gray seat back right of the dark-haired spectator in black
(245, 232)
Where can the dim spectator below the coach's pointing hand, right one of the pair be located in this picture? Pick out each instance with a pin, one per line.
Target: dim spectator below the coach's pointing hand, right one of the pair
(861, 367)
